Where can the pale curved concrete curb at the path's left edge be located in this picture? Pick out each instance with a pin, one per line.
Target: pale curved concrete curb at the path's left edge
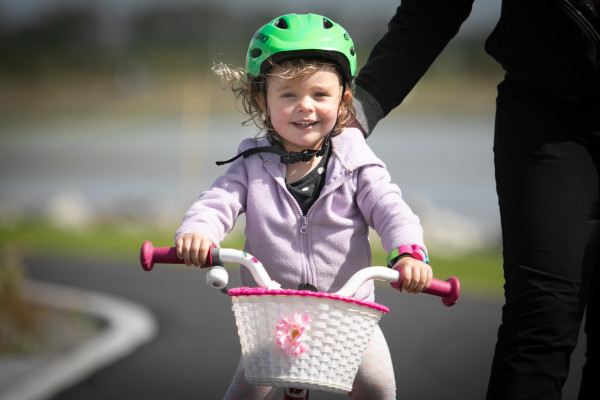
(128, 326)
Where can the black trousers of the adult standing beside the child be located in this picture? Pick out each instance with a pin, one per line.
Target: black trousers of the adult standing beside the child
(547, 159)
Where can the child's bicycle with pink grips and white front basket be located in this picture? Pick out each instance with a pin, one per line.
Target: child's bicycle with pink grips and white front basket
(285, 335)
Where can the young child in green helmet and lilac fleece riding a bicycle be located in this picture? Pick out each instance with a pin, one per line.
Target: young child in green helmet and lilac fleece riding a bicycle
(310, 187)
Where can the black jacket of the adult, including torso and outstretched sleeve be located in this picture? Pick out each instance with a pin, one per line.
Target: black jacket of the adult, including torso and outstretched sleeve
(546, 44)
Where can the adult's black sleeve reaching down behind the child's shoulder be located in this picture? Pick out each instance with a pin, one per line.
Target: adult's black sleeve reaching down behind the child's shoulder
(416, 35)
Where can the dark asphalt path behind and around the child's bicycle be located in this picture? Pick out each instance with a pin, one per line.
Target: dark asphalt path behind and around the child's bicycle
(438, 352)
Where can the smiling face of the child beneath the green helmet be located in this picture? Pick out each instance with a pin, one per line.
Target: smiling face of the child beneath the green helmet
(304, 110)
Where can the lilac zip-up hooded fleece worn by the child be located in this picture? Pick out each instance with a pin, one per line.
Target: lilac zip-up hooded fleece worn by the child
(330, 243)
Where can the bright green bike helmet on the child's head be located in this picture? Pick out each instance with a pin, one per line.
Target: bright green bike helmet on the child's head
(294, 36)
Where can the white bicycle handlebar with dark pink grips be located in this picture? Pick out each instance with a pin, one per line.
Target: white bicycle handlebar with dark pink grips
(448, 290)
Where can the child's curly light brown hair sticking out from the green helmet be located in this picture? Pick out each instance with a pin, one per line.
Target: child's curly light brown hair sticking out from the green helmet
(251, 91)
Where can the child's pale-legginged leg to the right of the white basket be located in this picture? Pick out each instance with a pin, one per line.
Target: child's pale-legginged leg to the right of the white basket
(375, 378)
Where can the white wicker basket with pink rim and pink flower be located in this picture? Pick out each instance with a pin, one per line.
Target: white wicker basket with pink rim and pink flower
(329, 349)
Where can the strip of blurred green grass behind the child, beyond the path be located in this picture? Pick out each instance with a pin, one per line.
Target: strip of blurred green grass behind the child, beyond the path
(480, 272)
